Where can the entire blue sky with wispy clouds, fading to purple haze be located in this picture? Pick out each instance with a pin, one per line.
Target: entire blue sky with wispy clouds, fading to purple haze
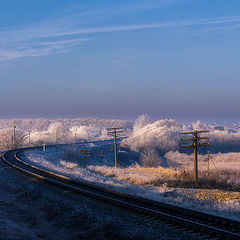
(118, 59)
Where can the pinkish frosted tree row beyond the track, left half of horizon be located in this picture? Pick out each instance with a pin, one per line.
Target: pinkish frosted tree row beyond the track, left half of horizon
(56, 131)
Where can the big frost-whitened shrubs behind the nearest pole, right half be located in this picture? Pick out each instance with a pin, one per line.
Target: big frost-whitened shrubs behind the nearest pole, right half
(164, 135)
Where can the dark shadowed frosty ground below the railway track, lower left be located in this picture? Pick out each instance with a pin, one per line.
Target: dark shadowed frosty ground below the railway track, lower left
(33, 210)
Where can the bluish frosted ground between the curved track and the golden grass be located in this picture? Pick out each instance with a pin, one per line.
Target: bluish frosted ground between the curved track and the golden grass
(97, 166)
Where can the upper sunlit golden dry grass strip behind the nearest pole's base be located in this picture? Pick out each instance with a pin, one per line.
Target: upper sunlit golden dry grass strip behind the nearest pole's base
(182, 178)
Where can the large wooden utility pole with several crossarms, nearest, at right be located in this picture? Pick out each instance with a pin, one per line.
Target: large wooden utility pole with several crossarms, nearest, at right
(196, 142)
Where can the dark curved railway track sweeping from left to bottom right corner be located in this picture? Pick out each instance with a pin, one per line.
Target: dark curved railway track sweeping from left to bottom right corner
(196, 221)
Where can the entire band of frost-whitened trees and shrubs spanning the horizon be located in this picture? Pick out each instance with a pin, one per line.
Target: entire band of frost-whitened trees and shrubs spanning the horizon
(162, 135)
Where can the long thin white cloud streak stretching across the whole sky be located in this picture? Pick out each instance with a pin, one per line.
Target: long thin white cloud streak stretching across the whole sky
(41, 32)
